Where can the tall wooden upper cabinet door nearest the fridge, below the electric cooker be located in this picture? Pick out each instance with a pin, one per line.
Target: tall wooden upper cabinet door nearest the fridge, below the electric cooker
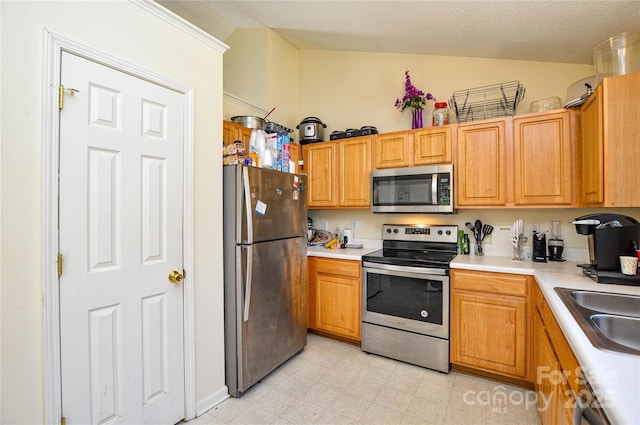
(319, 164)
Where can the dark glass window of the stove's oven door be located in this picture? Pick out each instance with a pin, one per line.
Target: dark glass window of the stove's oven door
(414, 298)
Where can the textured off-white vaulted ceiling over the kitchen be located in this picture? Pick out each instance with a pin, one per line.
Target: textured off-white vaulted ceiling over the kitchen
(564, 31)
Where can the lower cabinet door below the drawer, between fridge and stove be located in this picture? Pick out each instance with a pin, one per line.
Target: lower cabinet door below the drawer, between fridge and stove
(338, 305)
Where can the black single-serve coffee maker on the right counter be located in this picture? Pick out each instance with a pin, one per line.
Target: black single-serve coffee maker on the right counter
(609, 237)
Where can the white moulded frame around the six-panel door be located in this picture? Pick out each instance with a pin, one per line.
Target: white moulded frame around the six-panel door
(54, 45)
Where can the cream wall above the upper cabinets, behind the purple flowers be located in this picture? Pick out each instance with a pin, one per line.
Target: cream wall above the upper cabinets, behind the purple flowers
(353, 89)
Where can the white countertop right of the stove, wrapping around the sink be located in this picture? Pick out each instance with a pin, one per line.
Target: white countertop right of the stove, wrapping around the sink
(614, 376)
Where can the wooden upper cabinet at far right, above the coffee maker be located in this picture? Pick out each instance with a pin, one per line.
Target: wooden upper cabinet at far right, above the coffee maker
(610, 139)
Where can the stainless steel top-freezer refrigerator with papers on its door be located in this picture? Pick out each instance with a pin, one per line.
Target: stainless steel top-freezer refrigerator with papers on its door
(265, 272)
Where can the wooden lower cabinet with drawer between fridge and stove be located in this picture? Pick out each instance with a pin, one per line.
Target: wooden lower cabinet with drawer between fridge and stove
(335, 297)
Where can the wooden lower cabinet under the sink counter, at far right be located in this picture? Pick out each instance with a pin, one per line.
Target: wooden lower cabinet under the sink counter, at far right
(555, 368)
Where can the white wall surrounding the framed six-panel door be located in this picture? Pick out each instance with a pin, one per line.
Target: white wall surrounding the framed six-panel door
(126, 31)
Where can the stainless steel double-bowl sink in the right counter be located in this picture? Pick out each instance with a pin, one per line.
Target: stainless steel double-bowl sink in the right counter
(610, 321)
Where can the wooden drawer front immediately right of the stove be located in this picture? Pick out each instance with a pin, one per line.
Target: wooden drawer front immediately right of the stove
(501, 284)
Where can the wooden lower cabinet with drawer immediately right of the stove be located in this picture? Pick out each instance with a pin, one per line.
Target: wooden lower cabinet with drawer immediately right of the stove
(489, 322)
